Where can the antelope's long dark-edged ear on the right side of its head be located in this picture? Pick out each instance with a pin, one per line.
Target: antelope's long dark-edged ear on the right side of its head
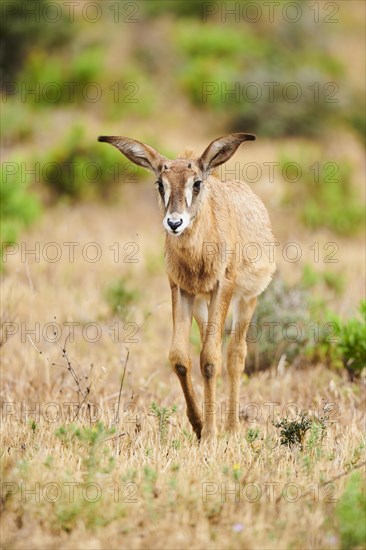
(221, 150)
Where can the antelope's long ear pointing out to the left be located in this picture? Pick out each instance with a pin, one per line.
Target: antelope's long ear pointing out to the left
(137, 152)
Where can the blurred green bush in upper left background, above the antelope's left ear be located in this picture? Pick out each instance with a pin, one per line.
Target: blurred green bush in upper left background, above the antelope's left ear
(81, 78)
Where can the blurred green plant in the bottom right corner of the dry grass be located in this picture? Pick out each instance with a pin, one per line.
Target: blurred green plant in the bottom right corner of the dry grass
(351, 512)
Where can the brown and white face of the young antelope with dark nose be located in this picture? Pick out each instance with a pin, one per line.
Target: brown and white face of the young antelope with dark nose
(180, 188)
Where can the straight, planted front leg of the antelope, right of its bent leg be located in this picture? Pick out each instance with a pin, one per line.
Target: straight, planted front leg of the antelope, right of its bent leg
(211, 354)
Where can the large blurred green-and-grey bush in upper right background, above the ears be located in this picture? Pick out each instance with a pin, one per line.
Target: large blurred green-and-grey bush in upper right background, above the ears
(217, 59)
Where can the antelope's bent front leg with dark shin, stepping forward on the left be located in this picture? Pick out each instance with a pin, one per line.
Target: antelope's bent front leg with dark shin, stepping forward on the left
(182, 306)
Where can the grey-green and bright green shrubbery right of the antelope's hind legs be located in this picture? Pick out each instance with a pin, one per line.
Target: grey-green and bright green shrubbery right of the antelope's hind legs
(288, 321)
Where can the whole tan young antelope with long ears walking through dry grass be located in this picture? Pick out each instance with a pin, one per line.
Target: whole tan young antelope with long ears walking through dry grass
(211, 227)
